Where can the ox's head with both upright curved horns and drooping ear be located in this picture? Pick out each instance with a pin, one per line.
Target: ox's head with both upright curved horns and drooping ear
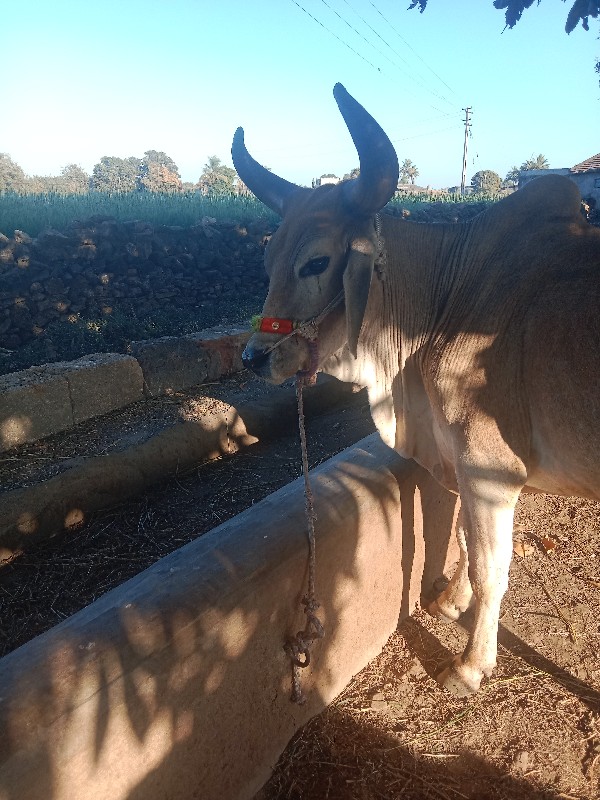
(320, 261)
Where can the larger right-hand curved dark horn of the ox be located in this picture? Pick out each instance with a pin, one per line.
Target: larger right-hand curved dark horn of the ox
(379, 171)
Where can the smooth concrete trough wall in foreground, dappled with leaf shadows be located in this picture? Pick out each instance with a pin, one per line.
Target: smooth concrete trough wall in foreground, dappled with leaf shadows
(175, 685)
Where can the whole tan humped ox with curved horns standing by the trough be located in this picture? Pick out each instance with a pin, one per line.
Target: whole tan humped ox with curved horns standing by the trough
(479, 345)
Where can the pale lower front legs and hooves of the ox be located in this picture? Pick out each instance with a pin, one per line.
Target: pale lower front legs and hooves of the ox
(487, 534)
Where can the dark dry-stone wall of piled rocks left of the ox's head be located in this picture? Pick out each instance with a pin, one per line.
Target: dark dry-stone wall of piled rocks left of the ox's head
(100, 265)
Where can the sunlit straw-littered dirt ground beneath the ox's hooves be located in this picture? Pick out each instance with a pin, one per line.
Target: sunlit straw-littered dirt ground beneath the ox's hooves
(532, 731)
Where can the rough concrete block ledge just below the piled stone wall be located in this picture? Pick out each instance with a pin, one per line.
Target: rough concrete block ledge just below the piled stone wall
(40, 401)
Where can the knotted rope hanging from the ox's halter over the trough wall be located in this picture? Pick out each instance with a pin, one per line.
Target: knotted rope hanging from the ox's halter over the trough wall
(298, 647)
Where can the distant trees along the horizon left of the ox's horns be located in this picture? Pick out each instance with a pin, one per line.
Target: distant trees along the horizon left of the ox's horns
(155, 171)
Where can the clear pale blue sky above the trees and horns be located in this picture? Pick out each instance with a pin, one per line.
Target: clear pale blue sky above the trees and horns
(84, 80)
